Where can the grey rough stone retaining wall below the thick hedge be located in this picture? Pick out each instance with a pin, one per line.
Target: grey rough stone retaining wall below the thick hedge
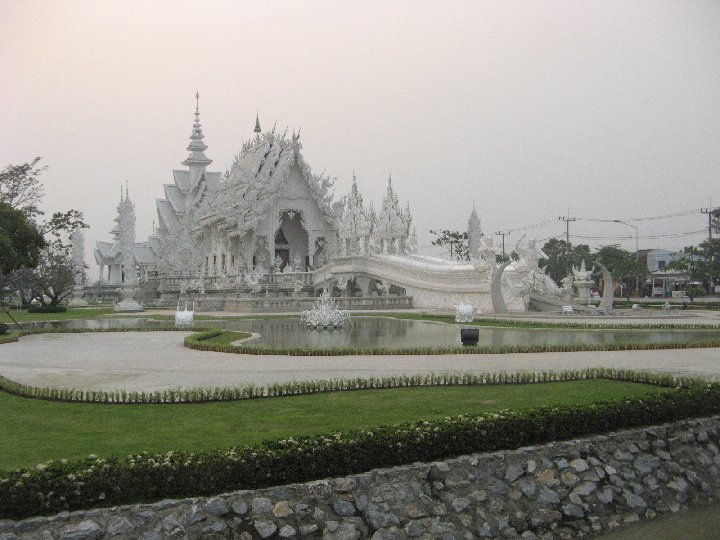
(562, 490)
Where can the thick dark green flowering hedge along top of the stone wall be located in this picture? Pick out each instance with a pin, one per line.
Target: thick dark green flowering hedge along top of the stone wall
(70, 485)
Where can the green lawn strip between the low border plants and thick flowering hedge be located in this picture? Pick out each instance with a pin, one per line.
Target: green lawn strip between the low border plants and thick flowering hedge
(35, 431)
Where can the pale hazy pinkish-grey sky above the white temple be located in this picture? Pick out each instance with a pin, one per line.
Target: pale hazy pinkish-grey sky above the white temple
(606, 110)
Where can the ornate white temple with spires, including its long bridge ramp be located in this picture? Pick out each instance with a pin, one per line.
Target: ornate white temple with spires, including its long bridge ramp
(267, 234)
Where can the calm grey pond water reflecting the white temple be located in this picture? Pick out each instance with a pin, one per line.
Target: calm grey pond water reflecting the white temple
(389, 333)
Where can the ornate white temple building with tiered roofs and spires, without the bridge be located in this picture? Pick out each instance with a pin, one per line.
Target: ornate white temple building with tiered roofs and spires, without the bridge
(269, 213)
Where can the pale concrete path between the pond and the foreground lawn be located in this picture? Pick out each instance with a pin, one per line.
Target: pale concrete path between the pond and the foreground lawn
(158, 360)
